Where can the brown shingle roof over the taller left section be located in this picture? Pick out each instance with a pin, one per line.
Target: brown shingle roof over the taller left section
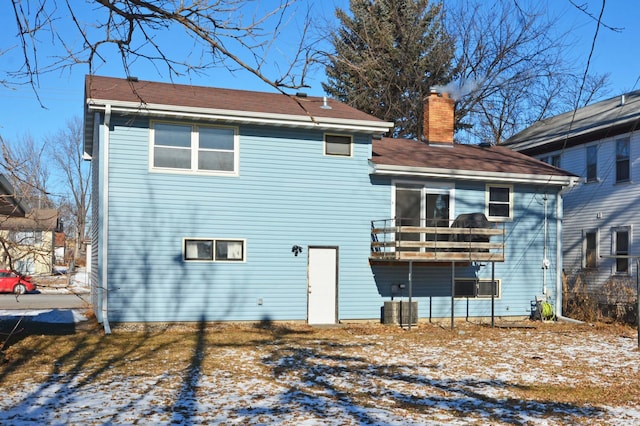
(147, 92)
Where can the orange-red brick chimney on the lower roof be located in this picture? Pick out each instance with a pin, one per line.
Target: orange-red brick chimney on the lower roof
(438, 118)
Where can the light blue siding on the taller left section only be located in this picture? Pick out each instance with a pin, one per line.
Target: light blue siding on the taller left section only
(287, 193)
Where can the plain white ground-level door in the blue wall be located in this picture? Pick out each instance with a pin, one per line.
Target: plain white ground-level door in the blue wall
(323, 285)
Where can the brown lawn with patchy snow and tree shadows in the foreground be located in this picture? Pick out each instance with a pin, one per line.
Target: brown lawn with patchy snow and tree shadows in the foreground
(294, 374)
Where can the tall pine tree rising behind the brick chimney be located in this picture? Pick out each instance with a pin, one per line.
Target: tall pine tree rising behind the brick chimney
(387, 54)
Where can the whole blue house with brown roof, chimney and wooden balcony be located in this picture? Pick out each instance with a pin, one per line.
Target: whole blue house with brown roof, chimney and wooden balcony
(226, 205)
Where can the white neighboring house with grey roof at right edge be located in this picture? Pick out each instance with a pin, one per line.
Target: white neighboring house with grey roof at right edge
(601, 144)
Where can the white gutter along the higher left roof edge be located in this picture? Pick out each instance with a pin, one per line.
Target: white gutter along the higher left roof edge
(247, 117)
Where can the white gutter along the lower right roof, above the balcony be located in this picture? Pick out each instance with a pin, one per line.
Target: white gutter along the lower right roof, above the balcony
(472, 175)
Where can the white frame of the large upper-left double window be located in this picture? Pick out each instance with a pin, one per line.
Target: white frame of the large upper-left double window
(194, 150)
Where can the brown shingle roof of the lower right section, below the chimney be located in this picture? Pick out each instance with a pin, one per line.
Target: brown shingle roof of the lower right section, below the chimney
(494, 159)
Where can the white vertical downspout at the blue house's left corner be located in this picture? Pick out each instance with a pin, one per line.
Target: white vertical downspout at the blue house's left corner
(104, 160)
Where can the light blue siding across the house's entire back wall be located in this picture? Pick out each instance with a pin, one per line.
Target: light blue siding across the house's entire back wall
(287, 193)
